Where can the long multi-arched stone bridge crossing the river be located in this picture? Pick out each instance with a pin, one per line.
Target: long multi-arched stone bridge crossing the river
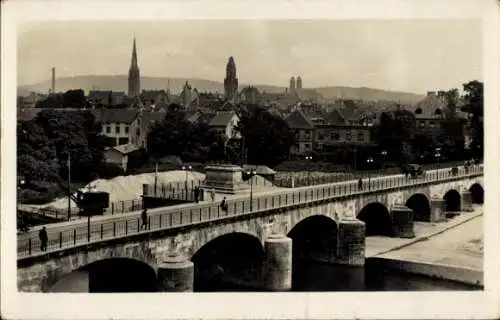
(254, 248)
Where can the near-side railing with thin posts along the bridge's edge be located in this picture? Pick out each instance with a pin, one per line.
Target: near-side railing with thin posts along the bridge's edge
(183, 215)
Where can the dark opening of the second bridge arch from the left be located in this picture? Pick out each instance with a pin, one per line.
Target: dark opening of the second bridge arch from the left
(231, 262)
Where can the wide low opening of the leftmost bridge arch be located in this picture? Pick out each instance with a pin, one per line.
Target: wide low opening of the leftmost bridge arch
(109, 275)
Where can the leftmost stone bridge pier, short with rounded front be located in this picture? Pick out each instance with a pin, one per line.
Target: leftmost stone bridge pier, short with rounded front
(176, 274)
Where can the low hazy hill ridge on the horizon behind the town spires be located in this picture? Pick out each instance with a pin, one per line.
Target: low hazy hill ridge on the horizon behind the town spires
(119, 83)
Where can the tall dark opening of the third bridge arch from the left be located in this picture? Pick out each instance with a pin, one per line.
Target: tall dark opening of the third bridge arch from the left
(313, 239)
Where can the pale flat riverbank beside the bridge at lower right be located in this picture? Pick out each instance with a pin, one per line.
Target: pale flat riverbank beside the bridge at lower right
(451, 252)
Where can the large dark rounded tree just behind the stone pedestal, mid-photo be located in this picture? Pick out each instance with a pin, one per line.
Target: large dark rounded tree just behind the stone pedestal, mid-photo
(267, 137)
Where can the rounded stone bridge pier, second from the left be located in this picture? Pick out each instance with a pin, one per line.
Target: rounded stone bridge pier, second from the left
(277, 265)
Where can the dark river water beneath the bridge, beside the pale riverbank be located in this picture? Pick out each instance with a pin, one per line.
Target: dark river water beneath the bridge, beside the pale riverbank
(317, 276)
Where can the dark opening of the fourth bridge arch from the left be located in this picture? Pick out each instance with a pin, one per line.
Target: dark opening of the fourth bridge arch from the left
(377, 219)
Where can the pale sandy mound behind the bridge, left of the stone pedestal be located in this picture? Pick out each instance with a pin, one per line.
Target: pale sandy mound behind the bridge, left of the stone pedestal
(129, 187)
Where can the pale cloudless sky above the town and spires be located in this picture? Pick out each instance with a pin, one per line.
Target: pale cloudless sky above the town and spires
(400, 55)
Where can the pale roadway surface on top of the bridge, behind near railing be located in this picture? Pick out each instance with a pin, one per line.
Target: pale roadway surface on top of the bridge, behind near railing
(130, 221)
